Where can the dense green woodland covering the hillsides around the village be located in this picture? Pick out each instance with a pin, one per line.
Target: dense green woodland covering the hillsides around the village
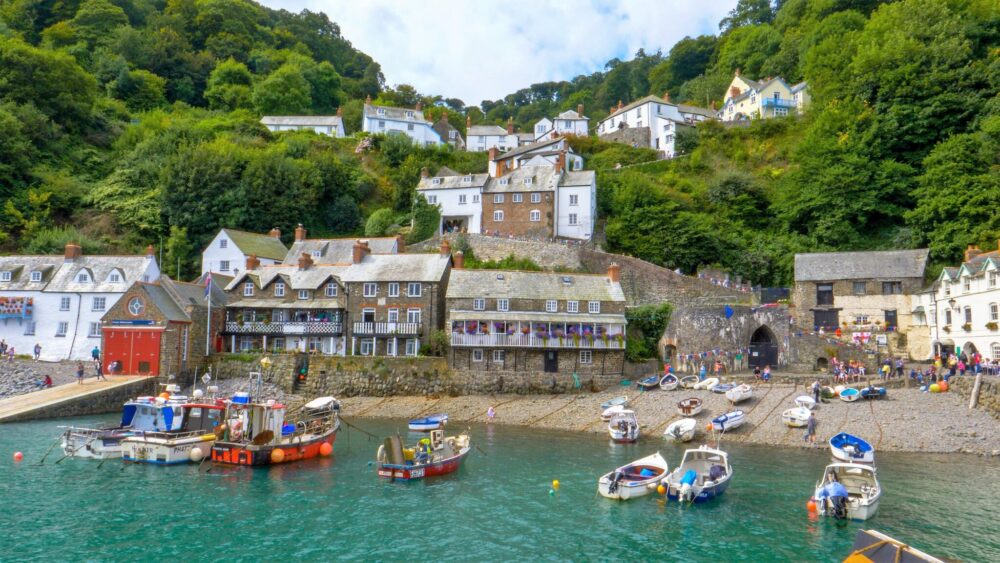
(128, 122)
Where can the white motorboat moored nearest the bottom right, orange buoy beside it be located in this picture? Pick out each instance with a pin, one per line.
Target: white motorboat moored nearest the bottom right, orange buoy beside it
(848, 491)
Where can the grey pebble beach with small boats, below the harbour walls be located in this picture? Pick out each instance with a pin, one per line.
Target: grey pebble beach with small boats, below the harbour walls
(908, 420)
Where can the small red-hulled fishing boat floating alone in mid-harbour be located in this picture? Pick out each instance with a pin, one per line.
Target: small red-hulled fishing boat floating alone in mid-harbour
(431, 456)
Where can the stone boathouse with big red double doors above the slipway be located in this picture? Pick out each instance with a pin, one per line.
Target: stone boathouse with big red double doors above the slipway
(162, 328)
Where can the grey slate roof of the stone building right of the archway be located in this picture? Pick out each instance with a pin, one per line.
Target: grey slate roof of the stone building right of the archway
(883, 264)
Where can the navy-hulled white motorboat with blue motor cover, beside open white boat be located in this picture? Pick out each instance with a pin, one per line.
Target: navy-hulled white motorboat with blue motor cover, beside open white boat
(703, 474)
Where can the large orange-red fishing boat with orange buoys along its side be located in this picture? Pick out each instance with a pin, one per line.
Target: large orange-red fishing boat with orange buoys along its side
(258, 434)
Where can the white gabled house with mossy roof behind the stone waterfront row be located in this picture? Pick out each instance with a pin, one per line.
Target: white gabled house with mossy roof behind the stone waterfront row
(229, 250)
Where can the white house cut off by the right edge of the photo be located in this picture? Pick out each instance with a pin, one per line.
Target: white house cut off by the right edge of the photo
(964, 306)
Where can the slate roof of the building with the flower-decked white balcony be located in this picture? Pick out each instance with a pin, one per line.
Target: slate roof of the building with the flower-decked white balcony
(464, 284)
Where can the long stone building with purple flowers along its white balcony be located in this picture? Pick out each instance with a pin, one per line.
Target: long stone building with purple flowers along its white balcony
(533, 321)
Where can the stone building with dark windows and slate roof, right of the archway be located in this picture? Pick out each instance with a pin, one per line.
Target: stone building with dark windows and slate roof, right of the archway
(860, 293)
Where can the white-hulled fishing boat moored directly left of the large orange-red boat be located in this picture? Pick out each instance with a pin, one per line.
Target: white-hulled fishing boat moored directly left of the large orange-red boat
(191, 443)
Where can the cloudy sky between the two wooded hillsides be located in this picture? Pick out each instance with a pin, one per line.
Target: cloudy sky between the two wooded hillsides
(485, 50)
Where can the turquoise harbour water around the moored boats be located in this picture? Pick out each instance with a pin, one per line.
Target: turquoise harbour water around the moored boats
(497, 507)
